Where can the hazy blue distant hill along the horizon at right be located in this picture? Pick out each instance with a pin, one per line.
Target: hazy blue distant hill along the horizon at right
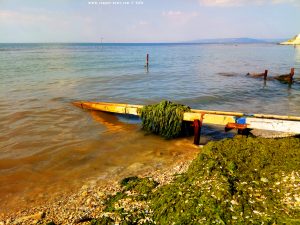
(235, 41)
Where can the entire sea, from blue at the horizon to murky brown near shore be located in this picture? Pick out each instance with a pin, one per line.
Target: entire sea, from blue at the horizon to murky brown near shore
(47, 145)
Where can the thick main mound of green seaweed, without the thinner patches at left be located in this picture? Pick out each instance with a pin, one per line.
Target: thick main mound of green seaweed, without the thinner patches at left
(231, 182)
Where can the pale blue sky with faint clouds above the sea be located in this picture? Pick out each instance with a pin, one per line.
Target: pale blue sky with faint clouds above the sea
(146, 20)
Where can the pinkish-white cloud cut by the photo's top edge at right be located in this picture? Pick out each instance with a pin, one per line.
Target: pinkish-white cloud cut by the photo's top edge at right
(230, 3)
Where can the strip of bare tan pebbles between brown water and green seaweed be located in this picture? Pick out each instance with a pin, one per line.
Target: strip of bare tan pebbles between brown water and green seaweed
(87, 202)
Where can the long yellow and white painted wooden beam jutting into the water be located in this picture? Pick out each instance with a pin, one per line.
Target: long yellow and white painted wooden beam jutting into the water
(231, 120)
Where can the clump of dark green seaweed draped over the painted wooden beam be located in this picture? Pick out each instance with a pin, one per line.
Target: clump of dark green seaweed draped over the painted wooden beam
(164, 118)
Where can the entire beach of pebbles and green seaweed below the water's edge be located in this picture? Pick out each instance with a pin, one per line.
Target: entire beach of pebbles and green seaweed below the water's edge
(238, 180)
